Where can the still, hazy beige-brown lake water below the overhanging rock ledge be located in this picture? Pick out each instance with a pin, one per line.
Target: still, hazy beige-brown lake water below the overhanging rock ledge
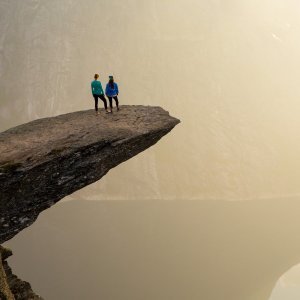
(133, 250)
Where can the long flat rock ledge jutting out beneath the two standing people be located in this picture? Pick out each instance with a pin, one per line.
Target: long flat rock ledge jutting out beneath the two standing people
(45, 160)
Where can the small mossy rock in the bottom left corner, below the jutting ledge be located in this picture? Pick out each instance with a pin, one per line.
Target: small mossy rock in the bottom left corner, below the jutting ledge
(11, 287)
